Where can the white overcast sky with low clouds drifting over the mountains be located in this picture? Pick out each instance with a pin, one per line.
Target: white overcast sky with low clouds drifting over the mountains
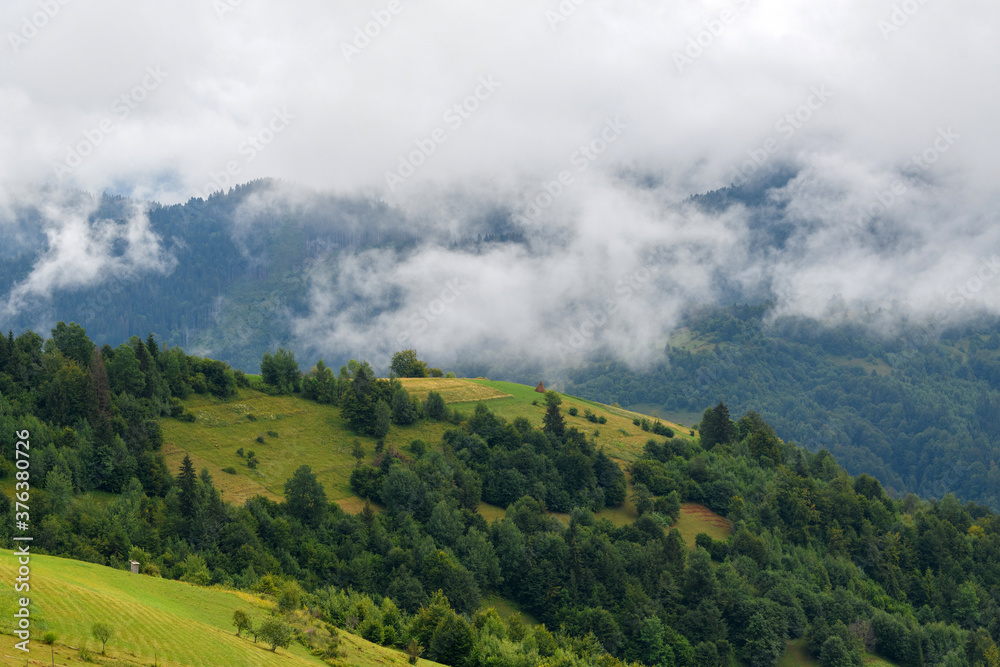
(886, 111)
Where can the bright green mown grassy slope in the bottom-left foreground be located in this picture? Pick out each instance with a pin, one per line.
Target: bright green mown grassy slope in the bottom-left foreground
(184, 624)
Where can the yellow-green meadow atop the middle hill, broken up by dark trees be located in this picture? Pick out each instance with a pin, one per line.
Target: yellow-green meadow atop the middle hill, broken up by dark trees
(299, 432)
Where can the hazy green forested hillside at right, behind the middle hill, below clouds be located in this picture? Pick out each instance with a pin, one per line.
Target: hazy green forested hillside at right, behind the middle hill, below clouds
(921, 411)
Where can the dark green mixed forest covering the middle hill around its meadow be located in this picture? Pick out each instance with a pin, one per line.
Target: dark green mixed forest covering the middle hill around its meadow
(814, 553)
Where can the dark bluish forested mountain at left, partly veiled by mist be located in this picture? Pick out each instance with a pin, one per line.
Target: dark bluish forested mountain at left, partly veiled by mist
(233, 270)
